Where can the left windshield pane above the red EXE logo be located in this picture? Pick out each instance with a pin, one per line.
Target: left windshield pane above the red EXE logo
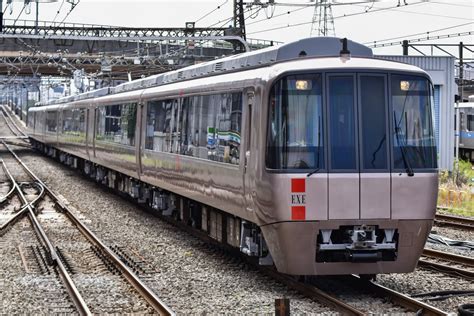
(295, 131)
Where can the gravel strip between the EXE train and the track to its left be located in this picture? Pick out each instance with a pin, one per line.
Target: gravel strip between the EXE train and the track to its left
(189, 277)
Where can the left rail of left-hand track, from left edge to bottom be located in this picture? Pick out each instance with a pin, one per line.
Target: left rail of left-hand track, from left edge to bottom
(76, 297)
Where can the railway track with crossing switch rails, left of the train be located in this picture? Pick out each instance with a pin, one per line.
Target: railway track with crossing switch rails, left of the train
(57, 258)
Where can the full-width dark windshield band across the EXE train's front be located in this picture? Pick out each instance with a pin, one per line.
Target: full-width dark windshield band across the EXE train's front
(357, 124)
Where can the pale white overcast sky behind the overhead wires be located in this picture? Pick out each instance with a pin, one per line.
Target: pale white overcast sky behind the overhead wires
(364, 23)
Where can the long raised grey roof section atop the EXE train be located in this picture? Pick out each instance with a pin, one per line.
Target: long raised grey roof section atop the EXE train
(309, 47)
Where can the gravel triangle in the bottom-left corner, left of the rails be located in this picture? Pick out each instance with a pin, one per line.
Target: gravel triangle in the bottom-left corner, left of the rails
(27, 279)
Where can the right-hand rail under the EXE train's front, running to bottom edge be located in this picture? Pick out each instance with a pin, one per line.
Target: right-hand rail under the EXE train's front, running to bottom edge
(403, 300)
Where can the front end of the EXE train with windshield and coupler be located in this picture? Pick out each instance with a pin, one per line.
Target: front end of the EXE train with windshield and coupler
(351, 165)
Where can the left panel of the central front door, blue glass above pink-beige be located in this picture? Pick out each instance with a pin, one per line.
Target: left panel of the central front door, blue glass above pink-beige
(343, 161)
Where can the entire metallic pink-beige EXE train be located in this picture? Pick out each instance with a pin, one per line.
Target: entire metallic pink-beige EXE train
(313, 156)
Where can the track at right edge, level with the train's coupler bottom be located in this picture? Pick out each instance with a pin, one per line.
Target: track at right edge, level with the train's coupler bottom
(448, 263)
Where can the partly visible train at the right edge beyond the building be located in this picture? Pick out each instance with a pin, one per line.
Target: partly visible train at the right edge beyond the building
(466, 131)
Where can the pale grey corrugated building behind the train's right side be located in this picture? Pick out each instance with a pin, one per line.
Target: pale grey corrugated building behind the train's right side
(441, 69)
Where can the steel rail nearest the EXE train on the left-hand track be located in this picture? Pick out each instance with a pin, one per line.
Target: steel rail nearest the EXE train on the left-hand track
(129, 275)
